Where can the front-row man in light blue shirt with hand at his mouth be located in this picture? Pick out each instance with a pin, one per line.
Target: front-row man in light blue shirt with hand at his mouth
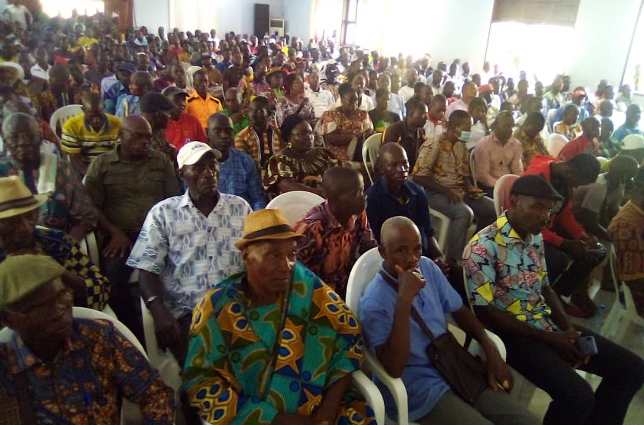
(409, 288)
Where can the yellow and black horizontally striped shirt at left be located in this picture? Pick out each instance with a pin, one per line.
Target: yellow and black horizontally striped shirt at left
(79, 139)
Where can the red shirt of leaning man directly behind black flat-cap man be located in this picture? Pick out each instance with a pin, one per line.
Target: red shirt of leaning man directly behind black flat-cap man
(564, 219)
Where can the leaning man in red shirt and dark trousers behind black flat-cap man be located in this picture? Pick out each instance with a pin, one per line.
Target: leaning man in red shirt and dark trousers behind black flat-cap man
(565, 239)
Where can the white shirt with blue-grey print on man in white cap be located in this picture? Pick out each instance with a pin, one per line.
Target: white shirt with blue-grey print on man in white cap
(190, 252)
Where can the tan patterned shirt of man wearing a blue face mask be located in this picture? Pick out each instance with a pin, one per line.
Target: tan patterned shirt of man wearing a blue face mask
(447, 162)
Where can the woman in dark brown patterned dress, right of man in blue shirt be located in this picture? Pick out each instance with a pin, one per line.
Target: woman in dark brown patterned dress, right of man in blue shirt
(299, 166)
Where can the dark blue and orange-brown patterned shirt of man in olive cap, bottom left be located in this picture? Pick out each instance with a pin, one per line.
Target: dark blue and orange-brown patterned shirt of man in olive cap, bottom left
(85, 382)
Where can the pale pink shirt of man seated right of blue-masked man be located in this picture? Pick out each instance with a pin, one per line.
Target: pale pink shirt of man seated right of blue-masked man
(493, 160)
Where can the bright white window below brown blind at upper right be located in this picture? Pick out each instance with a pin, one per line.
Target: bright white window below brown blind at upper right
(536, 48)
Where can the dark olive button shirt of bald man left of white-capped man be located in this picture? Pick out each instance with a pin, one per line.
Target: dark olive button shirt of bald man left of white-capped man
(125, 191)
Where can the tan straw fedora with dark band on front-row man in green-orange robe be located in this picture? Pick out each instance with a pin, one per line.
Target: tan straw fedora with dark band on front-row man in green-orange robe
(265, 225)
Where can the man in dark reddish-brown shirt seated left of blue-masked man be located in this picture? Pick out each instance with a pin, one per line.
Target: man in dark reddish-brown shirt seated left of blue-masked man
(409, 132)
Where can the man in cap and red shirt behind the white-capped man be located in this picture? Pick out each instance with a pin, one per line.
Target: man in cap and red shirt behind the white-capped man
(182, 127)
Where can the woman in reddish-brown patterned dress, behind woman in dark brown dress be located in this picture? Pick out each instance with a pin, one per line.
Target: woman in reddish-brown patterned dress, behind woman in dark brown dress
(345, 126)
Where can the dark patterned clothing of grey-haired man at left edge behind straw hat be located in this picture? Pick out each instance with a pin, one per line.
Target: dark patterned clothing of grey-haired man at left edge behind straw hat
(68, 202)
